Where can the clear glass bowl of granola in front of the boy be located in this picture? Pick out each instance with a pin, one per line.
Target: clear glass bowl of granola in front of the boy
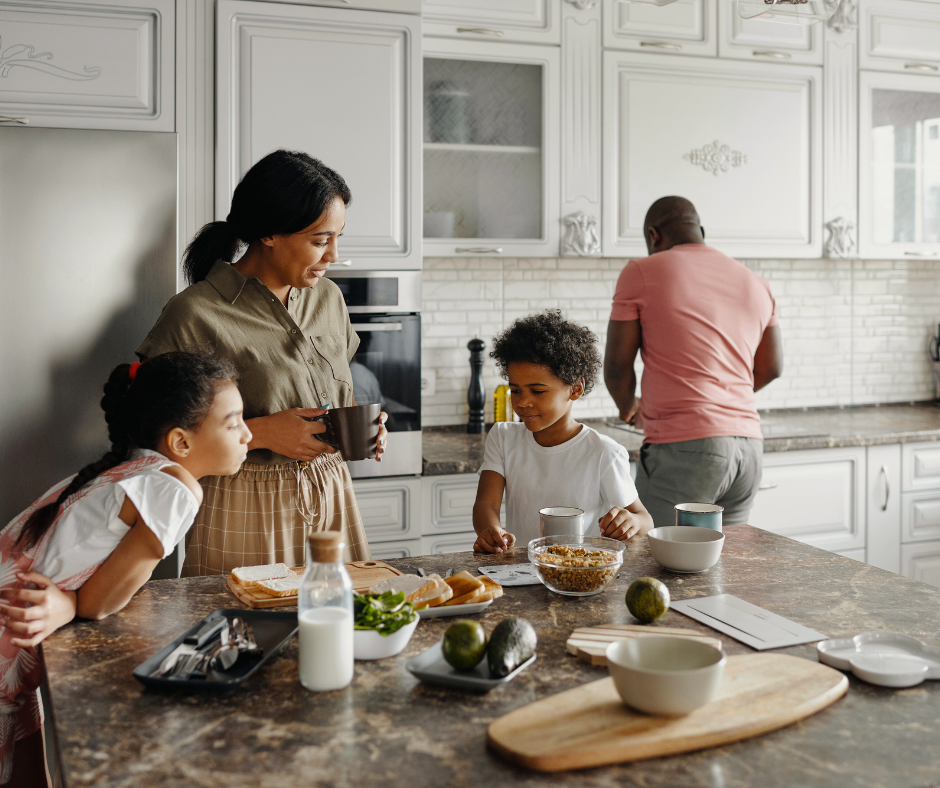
(576, 565)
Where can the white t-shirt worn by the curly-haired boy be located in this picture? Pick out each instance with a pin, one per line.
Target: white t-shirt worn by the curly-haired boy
(589, 472)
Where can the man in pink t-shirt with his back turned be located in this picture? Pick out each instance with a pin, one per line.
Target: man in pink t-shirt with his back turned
(706, 328)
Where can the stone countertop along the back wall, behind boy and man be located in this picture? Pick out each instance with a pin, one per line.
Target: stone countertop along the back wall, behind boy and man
(449, 450)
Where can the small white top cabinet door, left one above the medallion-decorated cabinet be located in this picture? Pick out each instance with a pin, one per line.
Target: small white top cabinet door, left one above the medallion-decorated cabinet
(685, 27)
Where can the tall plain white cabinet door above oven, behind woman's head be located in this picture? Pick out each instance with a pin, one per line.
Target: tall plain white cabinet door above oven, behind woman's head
(341, 85)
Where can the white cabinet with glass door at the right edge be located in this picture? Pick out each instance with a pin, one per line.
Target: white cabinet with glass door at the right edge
(899, 166)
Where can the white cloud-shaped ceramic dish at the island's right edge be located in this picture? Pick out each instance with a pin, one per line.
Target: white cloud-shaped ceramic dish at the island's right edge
(888, 659)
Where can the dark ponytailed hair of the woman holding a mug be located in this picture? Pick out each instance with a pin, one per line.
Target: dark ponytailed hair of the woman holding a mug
(281, 194)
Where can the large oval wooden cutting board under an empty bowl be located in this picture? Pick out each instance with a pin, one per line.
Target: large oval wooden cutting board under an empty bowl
(590, 726)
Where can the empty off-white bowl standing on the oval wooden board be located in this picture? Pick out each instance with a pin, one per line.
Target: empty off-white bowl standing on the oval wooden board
(665, 676)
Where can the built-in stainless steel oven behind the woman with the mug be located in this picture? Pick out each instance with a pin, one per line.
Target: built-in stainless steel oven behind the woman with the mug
(384, 308)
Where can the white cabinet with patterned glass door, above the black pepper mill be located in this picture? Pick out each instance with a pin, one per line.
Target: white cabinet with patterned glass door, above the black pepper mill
(490, 149)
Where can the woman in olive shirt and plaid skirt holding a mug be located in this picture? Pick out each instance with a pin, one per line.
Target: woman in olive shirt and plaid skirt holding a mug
(285, 327)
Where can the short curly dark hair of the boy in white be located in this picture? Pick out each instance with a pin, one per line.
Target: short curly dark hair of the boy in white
(568, 350)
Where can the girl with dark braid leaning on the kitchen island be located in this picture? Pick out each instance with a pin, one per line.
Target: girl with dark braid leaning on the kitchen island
(91, 541)
